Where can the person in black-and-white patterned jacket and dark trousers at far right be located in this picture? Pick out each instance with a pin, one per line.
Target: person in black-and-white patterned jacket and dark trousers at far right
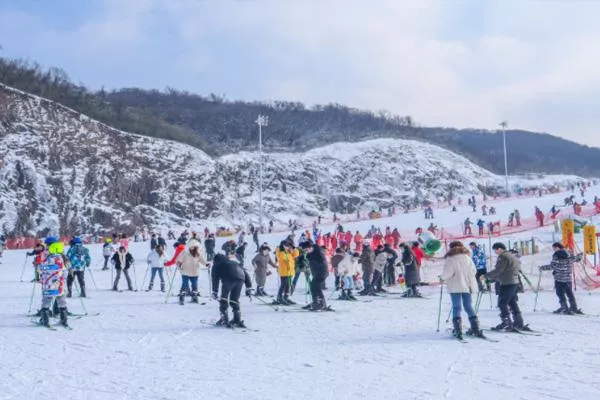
(562, 269)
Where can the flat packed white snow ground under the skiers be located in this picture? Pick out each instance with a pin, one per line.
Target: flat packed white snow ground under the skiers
(138, 347)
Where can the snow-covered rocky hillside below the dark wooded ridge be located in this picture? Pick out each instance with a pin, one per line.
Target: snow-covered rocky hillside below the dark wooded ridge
(60, 170)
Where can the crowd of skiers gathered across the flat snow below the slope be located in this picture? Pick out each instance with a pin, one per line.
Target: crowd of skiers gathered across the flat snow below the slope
(363, 265)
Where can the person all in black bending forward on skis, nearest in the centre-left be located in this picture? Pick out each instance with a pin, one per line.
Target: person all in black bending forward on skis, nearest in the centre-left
(230, 274)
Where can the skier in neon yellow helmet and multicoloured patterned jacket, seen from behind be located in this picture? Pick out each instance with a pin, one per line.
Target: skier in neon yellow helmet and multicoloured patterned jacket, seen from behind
(53, 270)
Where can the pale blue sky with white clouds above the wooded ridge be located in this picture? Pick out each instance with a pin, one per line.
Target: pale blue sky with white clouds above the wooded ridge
(461, 63)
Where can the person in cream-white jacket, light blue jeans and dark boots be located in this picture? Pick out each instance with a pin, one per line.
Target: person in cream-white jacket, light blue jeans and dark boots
(459, 276)
